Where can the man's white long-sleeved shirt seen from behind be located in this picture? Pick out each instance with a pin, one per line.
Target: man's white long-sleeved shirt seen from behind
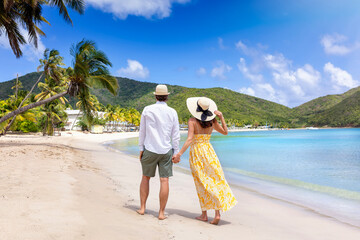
(159, 129)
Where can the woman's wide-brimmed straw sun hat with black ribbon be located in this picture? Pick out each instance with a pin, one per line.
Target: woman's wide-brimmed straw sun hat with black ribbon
(202, 108)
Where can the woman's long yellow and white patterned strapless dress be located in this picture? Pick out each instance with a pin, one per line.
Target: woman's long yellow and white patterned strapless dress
(211, 186)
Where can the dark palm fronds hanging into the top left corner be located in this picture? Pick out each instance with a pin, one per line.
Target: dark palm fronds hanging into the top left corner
(28, 14)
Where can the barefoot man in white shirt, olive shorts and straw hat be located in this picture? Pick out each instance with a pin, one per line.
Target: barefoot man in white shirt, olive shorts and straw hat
(158, 141)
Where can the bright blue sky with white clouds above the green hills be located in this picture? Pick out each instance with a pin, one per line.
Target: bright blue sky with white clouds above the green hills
(284, 51)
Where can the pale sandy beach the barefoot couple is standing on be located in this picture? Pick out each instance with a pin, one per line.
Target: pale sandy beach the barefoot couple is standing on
(74, 187)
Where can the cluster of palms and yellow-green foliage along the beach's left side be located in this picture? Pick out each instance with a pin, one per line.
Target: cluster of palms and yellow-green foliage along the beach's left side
(89, 70)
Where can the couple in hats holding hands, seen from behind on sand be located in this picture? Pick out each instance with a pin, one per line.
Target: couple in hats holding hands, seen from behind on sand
(159, 147)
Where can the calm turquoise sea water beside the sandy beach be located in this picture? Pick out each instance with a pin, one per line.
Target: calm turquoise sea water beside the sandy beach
(316, 169)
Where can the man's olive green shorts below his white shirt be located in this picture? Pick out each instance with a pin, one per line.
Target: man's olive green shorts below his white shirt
(150, 160)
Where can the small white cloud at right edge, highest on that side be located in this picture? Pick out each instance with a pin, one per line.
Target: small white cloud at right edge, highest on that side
(335, 44)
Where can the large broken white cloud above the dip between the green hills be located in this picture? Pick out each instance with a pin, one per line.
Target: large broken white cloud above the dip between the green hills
(286, 85)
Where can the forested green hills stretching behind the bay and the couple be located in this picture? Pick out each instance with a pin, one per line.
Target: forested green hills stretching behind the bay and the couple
(332, 110)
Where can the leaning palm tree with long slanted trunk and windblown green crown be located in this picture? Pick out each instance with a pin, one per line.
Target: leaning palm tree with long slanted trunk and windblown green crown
(89, 70)
